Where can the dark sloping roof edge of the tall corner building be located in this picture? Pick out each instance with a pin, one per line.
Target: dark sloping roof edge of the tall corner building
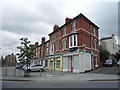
(79, 16)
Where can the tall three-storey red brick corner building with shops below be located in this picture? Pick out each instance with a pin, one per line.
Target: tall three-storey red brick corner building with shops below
(74, 47)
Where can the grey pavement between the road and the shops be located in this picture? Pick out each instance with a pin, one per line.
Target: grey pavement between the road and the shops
(49, 75)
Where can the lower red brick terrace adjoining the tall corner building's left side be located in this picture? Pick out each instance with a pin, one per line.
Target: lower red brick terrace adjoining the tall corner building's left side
(41, 53)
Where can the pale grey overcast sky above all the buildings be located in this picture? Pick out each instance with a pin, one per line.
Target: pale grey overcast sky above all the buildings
(35, 19)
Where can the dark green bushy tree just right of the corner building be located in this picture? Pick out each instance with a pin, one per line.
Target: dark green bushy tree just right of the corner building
(104, 54)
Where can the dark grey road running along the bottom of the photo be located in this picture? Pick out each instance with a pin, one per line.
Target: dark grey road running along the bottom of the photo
(61, 84)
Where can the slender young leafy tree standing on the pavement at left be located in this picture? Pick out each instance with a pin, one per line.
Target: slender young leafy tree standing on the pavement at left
(26, 52)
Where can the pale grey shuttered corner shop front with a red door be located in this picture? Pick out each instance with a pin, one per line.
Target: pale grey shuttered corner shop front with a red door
(77, 62)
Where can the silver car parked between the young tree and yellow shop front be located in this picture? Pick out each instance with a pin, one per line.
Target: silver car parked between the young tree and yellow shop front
(35, 68)
